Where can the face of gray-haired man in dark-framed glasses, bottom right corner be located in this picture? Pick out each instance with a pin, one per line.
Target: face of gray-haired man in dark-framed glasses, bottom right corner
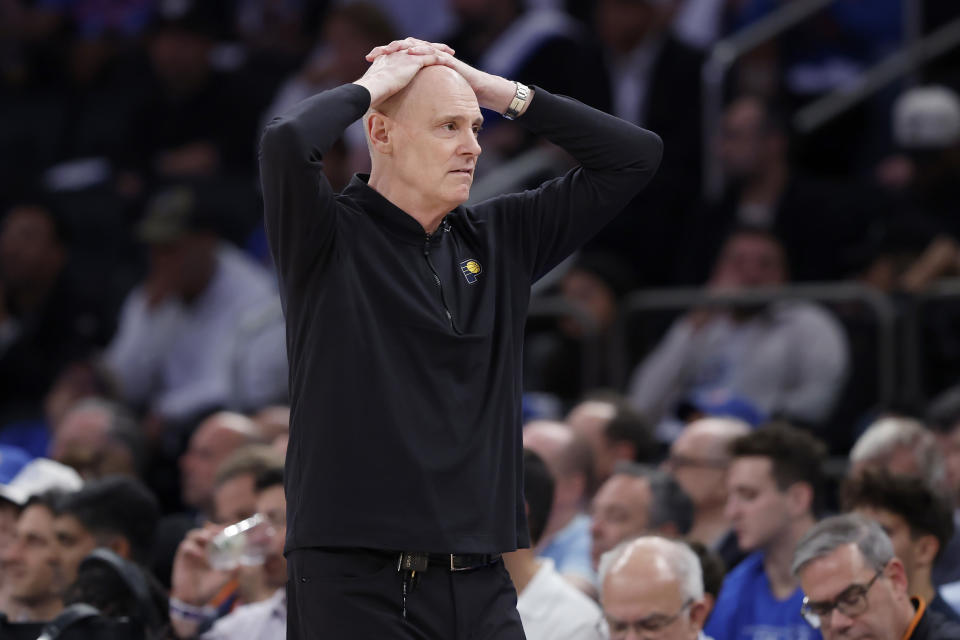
(824, 580)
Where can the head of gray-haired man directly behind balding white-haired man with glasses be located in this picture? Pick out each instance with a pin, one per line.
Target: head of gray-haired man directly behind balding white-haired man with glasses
(636, 501)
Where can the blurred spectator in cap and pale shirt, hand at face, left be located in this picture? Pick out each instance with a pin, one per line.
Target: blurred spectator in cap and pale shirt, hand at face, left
(177, 340)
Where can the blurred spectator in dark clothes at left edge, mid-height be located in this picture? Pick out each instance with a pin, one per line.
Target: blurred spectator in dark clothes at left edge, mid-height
(43, 324)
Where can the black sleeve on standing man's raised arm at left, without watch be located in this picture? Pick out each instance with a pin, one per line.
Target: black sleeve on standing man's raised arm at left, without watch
(299, 205)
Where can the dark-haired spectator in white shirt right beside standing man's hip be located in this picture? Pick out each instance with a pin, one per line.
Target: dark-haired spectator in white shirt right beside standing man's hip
(549, 606)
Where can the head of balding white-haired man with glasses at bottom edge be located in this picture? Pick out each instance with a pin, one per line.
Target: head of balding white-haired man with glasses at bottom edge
(651, 588)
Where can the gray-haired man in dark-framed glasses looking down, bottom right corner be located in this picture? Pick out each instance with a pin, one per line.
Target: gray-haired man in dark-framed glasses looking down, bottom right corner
(857, 588)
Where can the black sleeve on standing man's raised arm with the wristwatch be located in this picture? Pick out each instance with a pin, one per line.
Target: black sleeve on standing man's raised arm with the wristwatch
(617, 159)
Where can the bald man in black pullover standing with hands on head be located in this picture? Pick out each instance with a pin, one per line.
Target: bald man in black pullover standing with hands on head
(405, 312)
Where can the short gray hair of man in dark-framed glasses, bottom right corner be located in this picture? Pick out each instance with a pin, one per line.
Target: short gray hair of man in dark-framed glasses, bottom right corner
(837, 531)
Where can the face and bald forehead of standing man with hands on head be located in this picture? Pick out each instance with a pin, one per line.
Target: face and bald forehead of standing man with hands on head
(434, 139)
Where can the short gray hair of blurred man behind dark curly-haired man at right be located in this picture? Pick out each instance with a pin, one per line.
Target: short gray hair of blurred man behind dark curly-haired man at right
(886, 434)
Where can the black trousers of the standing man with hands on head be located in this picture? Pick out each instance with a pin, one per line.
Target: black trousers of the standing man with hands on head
(357, 594)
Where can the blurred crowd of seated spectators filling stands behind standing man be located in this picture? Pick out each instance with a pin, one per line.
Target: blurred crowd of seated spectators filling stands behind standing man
(143, 369)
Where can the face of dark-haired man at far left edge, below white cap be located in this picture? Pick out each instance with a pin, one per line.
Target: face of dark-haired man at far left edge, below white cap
(31, 564)
